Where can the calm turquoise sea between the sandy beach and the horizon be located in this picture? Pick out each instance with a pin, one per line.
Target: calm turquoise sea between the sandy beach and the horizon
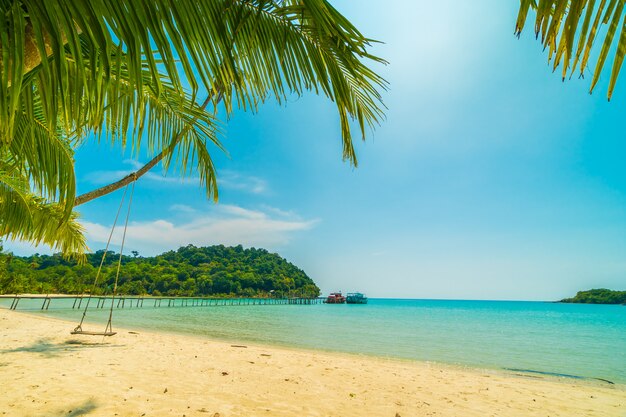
(572, 339)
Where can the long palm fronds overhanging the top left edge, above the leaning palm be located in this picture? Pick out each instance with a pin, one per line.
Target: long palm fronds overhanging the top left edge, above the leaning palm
(249, 49)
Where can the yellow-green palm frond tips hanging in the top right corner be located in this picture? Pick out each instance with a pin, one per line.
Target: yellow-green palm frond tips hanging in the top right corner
(569, 28)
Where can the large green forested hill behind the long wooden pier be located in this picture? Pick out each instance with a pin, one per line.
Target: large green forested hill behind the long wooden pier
(188, 271)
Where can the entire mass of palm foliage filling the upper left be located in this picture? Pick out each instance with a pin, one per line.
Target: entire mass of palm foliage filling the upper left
(131, 72)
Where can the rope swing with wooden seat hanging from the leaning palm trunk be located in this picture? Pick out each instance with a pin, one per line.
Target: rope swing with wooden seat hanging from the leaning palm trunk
(108, 331)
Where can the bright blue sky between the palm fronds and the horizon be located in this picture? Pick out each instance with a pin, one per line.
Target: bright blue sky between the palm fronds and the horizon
(490, 178)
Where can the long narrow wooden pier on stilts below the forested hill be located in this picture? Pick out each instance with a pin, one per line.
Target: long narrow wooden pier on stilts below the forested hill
(126, 301)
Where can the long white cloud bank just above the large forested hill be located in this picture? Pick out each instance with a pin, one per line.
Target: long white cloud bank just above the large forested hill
(228, 225)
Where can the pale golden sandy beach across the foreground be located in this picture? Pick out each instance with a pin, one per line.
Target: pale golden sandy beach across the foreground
(45, 371)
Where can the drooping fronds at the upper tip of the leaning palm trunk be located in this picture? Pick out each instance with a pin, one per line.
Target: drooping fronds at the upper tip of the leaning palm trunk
(165, 120)
